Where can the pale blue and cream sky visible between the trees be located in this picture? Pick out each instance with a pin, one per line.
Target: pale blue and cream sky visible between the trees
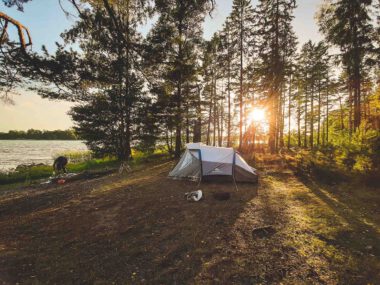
(46, 21)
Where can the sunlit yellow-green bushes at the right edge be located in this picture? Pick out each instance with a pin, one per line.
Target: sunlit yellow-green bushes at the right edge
(342, 158)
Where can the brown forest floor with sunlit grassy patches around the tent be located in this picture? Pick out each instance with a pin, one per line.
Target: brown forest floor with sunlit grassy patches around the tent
(139, 229)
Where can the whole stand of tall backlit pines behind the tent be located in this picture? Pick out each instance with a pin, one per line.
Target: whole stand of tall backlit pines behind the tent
(172, 86)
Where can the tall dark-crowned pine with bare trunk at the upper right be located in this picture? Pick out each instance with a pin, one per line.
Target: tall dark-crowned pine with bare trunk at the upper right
(347, 24)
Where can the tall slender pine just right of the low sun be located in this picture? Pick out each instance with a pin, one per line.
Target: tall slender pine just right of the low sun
(276, 45)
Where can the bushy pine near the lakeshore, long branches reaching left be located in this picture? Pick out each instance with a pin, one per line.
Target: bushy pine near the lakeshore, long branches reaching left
(104, 77)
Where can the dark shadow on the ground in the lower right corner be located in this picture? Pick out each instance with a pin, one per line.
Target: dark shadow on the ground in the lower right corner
(360, 239)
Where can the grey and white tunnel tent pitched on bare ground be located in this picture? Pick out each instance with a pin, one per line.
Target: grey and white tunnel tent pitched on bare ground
(202, 162)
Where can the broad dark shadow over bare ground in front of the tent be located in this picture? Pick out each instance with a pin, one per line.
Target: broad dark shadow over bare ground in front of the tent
(145, 232)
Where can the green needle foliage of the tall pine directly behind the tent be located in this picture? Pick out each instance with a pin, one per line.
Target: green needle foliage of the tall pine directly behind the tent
(172, 61)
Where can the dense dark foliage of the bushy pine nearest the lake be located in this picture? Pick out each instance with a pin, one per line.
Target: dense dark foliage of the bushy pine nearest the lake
(106, 118)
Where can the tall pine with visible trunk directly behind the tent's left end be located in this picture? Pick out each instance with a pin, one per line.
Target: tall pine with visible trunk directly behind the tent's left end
(172, 55)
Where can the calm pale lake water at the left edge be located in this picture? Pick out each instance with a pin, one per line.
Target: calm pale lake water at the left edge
(16, 152)
